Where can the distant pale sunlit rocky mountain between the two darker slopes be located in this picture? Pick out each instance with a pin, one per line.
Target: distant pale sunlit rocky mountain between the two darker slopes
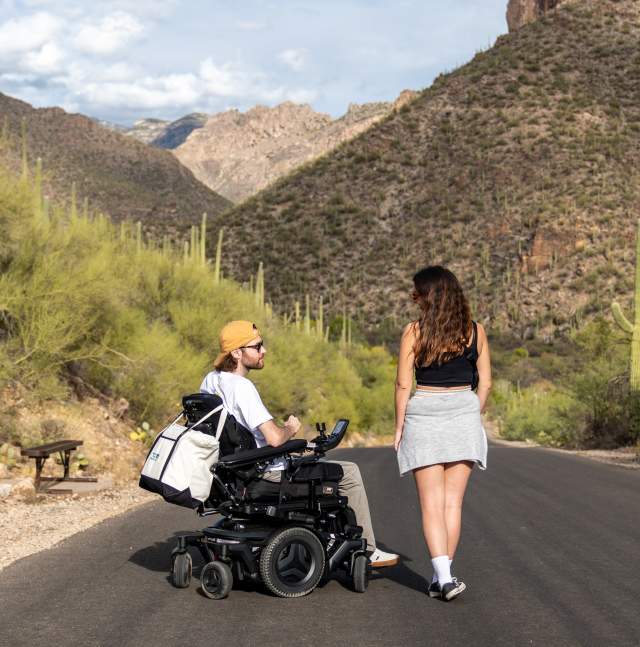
(237, 154)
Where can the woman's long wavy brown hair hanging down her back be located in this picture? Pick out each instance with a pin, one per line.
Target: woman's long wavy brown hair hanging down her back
(445, 316)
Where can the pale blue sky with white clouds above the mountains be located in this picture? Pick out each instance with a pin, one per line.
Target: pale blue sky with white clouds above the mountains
(123, 60)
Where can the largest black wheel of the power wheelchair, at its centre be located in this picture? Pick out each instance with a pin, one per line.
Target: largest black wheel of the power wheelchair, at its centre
(292, 563)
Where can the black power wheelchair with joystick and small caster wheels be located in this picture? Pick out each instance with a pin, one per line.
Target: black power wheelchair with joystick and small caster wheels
(288, 535)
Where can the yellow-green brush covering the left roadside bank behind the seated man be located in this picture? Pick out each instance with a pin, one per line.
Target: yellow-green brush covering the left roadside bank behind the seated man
(87, 307)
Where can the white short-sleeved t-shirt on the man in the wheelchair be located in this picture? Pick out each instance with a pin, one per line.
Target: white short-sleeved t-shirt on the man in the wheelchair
(242, 400)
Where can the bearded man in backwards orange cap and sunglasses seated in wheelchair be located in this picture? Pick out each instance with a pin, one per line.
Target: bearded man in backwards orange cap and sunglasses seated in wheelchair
(243, 350)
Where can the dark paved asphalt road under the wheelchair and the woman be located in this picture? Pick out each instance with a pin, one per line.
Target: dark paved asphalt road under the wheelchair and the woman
(550, 553)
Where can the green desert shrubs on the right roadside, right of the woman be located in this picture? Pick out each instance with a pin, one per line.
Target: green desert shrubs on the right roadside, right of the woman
(580, 399)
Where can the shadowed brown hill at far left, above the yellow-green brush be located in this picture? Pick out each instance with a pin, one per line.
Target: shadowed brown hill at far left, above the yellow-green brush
(119, 175)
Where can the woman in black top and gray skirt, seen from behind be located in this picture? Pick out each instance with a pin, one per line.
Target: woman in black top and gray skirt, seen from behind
(439, 434)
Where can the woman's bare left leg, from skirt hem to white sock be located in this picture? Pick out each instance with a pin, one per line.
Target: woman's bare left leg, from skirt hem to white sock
(430, 483)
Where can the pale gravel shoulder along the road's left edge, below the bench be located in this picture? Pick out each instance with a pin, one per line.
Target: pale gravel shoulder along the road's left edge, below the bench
(27, 527)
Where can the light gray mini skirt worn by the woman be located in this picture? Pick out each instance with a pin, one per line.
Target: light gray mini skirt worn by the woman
(442, 427)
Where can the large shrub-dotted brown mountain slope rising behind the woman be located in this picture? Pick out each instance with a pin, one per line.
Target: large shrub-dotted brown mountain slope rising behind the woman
(520, 170)
